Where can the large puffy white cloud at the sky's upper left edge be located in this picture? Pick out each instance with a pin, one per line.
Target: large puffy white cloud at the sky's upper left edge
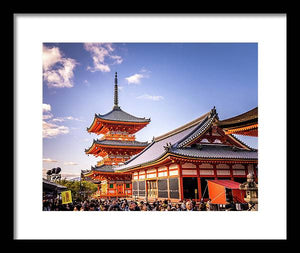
(58, 71)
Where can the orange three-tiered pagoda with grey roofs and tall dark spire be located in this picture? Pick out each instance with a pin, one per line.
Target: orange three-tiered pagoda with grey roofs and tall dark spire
(116, 145)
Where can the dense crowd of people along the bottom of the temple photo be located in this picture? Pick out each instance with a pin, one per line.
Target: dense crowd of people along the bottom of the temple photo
(132, 205)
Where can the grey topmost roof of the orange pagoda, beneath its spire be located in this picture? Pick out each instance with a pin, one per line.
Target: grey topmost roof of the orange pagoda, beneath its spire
(117, 114)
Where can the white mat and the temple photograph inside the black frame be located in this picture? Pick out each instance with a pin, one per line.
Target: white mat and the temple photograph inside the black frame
(150, 113)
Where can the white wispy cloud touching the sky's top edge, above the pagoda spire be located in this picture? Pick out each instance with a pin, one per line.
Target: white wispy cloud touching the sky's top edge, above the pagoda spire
(102, 55)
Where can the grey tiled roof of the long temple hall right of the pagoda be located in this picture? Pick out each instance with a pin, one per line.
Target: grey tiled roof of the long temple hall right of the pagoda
(175, 142)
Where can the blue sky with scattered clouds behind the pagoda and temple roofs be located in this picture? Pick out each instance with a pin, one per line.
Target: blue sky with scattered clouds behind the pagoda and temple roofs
(171, 83)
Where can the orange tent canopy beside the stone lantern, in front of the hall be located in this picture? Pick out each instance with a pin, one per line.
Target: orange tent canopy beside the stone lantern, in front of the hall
(223, 191)
